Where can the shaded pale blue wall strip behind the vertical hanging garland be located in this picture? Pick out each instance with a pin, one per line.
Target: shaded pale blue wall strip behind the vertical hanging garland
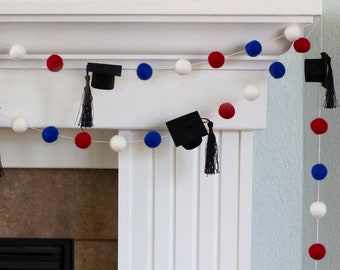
(326, 38)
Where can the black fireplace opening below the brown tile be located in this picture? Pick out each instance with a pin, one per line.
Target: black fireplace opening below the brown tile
(36, 254)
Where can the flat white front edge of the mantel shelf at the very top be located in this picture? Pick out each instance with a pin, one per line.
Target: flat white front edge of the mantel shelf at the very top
(215, 7)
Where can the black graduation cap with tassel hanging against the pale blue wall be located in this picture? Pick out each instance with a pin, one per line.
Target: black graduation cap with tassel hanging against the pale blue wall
(320, 70)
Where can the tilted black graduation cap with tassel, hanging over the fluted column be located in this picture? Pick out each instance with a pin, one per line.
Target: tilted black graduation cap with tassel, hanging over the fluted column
(188, 131)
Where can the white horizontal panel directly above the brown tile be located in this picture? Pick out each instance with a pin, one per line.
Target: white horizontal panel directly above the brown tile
(28, 150)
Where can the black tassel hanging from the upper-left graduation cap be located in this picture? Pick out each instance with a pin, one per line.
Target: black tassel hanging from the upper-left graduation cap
(86, 118)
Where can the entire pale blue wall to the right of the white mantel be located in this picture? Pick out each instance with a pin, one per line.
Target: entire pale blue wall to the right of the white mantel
(284, 153)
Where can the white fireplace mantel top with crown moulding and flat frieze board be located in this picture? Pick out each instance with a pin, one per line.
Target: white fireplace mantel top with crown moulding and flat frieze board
(130, 32)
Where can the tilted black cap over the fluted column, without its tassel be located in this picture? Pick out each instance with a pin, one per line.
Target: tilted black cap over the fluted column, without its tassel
(187, 130)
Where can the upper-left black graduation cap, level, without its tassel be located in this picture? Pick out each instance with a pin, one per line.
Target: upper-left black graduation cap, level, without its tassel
(103, 75)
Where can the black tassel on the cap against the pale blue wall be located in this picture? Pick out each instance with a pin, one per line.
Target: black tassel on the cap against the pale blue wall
(328, 83)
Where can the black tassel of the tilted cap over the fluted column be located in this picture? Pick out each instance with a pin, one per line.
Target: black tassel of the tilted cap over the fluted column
(211, 153)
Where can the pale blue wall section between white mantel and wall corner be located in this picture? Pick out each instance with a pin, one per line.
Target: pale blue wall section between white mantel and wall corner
(278, 173)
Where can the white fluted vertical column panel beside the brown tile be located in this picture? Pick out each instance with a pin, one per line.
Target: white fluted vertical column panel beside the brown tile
(174, 217)
